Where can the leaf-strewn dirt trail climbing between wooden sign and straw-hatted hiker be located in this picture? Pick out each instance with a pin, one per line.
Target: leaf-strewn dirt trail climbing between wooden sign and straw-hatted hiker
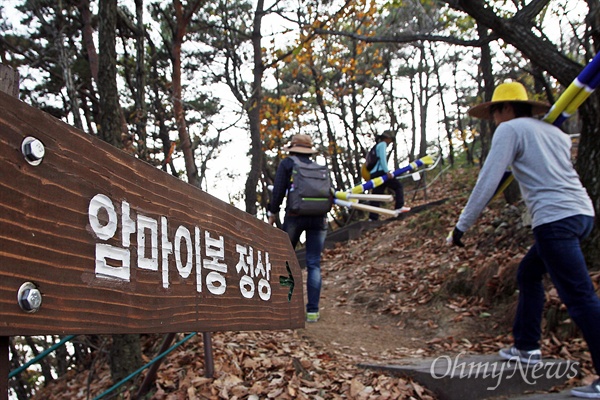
(352, 318)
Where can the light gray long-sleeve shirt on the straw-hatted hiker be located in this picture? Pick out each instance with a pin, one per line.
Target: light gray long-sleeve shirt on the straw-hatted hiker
(539, 155)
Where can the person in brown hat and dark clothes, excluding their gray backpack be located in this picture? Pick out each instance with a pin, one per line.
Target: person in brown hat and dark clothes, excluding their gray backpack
(315, 226)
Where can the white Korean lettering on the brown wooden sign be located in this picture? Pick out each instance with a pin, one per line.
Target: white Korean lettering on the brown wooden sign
(154, 247)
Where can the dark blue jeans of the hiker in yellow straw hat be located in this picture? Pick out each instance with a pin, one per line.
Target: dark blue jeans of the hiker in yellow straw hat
(557, 251)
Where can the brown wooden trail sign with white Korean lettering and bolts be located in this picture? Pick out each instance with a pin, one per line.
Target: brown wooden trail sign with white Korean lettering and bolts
(93, 240)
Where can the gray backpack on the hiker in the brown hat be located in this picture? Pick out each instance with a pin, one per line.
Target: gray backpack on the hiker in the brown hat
(310, 190)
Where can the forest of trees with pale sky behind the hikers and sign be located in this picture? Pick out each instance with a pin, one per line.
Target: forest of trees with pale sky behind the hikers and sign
(185, 85)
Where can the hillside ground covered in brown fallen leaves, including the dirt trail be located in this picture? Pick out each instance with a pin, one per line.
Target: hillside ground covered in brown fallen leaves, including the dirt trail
(396, 292)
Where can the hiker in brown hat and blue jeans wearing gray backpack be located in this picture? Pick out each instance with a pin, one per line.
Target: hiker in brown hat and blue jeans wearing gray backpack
(309, 199)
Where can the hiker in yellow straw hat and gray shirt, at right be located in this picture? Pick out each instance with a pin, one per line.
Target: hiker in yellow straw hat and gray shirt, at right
(539, 155)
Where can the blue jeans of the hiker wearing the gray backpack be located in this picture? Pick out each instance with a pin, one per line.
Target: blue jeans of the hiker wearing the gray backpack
(316, 231)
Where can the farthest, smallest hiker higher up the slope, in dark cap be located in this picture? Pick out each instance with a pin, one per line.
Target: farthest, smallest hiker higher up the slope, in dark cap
(381, 168)
